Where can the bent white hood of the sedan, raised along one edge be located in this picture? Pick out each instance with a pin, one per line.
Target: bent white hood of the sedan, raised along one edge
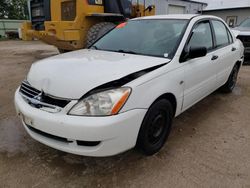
(73, 74)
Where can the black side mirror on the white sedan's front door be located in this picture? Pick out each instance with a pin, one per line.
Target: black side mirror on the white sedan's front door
(193, 52)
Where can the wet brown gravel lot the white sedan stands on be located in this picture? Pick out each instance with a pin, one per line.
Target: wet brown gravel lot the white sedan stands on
(209, 145)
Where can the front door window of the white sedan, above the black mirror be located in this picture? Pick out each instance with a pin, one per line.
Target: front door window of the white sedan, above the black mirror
(201, 36)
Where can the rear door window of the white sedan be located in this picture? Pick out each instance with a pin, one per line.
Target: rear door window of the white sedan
(221, 33)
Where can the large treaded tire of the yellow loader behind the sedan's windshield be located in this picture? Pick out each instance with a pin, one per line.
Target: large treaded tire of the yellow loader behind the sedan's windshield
(97, 31)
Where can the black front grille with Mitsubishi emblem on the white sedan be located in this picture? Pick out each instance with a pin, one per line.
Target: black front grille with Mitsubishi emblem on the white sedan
(32, 93)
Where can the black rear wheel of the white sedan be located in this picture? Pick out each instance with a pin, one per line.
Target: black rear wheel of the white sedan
(232, 80)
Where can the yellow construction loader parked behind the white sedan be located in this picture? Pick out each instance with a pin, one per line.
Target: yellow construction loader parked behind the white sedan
(76, 24)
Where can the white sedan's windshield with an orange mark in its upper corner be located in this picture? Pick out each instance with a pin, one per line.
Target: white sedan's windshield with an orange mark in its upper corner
(145, 37)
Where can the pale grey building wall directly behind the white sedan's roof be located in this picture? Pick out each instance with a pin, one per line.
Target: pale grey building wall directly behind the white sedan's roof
(162, 6)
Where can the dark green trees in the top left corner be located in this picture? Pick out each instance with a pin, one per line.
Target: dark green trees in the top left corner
(13, 9)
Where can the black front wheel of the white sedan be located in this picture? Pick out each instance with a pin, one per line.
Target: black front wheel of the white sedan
(156, 127)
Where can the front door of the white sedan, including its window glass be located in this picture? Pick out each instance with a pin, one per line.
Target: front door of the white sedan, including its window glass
(200, 73)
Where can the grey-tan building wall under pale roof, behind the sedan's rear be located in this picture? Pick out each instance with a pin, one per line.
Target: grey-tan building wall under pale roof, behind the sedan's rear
(240, 14)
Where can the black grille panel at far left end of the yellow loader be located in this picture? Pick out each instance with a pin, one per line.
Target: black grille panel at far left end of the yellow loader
(40, 12)
